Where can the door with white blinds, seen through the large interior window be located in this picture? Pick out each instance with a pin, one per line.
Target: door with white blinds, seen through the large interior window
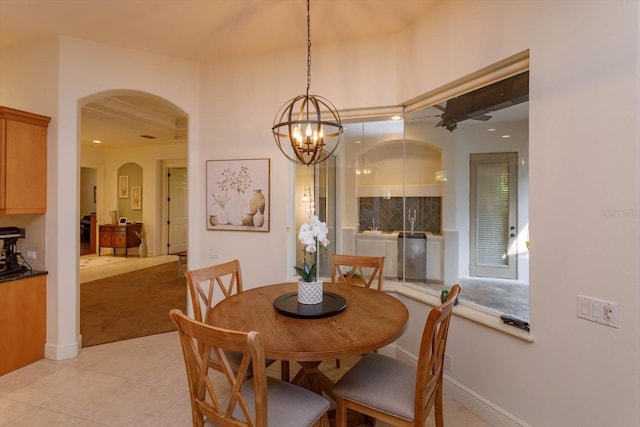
(493, 213)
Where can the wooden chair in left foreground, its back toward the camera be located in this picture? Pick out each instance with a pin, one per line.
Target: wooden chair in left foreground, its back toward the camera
(249, 397)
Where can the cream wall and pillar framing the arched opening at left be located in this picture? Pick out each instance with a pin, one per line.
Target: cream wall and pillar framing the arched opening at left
(51, 78)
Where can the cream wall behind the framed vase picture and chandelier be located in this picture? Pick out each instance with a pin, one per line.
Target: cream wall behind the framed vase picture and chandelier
(258, 86)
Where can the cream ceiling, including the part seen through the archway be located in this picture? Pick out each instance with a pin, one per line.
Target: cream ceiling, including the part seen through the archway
(199, 30)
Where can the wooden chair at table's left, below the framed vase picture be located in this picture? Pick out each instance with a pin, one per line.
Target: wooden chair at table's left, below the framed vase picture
(226, 280)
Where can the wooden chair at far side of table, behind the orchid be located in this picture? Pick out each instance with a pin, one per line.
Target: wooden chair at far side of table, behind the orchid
(357, 270)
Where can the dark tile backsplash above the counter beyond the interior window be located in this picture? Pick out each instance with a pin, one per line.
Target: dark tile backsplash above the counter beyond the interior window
(389, 213)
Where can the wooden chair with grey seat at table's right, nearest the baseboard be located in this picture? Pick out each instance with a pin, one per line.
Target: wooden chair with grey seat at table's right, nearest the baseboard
(395, 392)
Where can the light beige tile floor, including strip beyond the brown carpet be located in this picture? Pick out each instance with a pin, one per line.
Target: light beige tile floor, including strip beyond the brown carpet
(136, 382)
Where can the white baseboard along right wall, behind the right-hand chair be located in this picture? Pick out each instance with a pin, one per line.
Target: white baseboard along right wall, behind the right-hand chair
(477, 404)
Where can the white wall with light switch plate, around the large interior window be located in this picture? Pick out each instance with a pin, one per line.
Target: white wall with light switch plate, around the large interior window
(583, 204)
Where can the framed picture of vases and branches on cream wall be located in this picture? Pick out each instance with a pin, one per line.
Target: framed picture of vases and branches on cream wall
(238, 195)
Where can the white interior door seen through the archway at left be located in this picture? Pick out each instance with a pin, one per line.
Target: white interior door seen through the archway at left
(177, 222)
